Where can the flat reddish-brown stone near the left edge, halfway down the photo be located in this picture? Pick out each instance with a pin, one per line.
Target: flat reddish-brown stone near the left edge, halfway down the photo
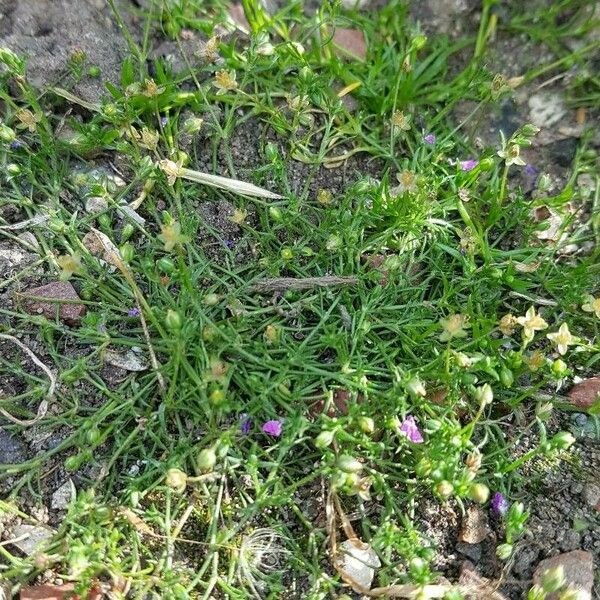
(61, 296)
